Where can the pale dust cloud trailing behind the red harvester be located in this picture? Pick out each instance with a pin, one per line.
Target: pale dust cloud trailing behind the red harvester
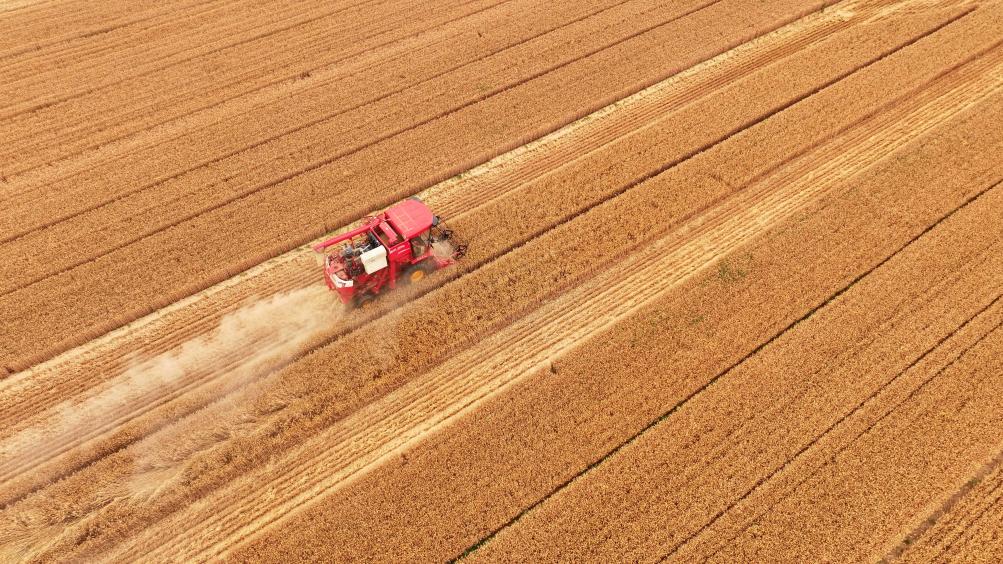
(245, 346)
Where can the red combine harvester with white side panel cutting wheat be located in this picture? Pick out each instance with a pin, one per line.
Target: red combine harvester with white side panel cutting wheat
(404, 243)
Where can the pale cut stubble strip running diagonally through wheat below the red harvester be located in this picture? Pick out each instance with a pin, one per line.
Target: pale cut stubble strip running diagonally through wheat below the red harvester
(402, 418)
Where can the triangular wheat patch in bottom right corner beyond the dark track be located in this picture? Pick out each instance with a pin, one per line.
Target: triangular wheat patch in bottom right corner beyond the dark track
(969, 529)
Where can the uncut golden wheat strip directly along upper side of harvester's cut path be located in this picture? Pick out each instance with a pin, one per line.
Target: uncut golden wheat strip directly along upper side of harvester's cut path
(186, 258)
